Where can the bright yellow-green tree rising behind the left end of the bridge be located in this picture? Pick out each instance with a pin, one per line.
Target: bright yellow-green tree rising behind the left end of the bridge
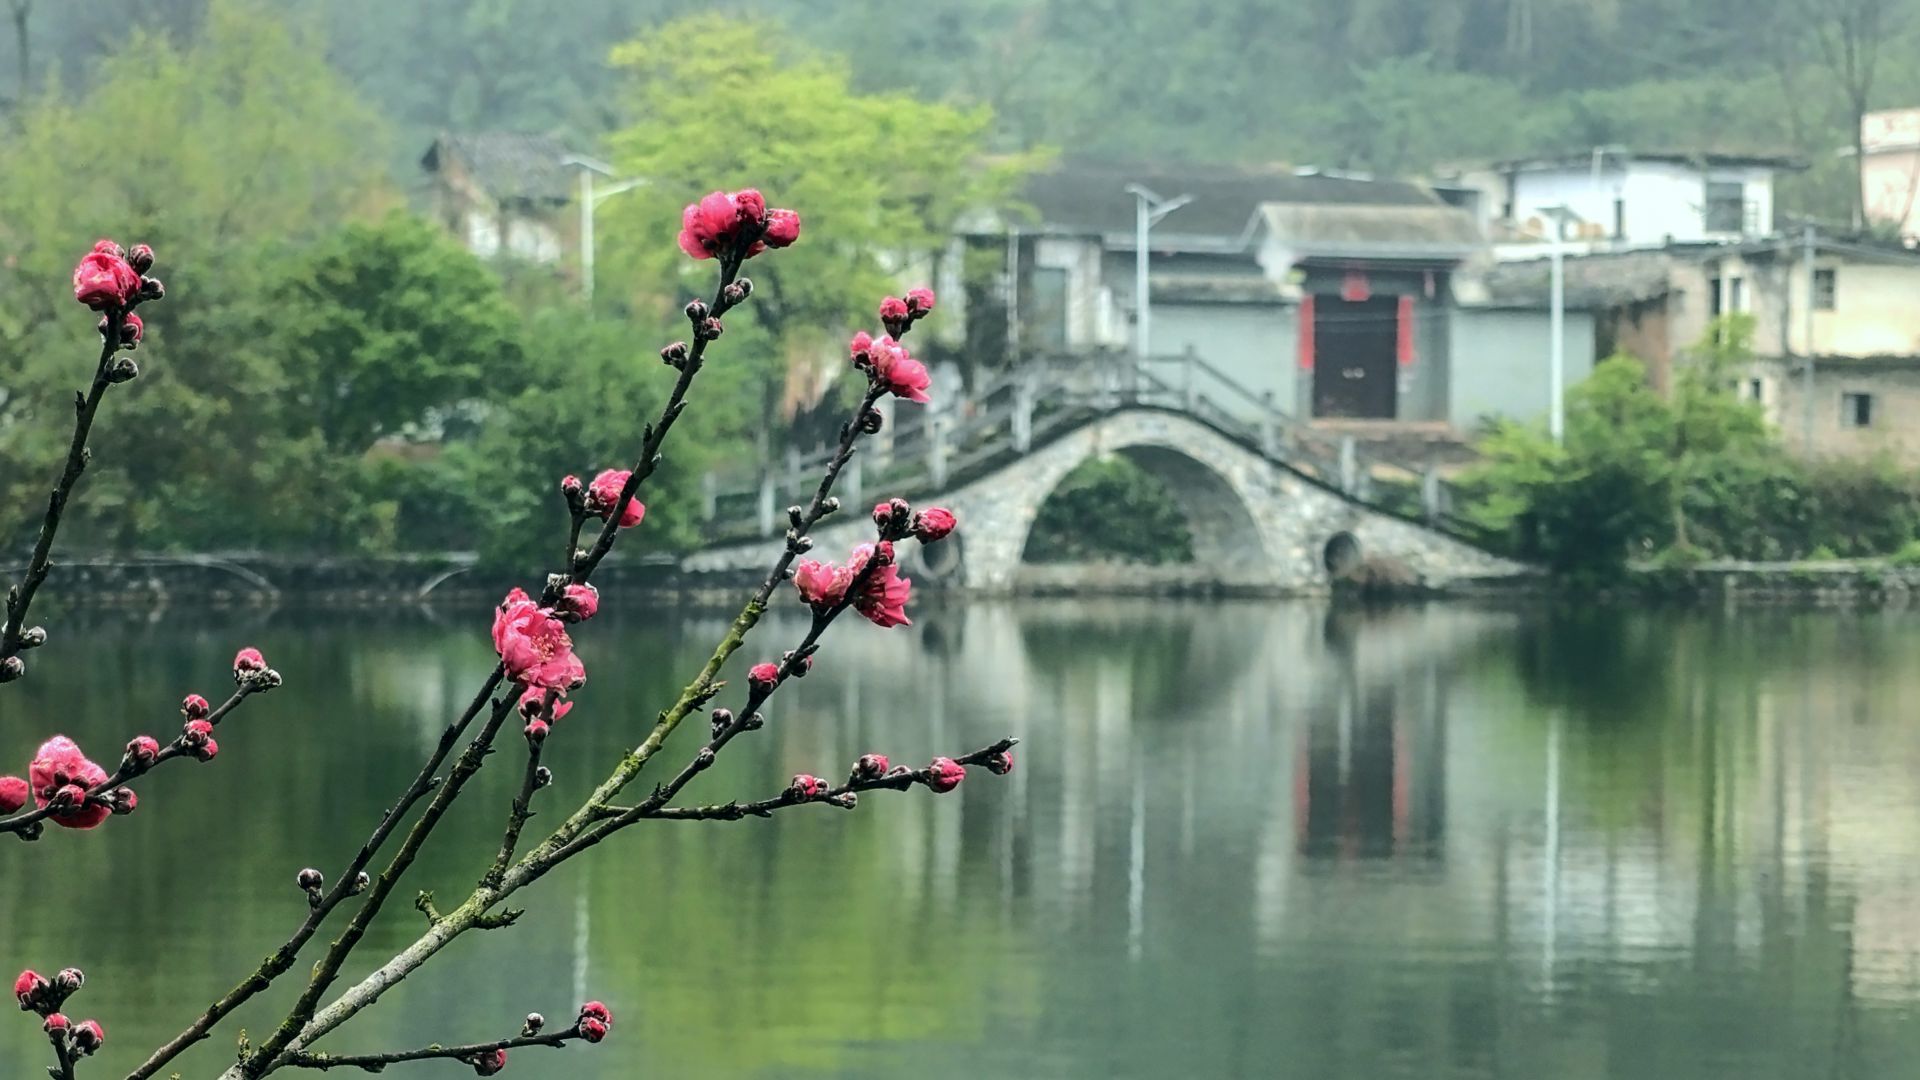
(721, 103)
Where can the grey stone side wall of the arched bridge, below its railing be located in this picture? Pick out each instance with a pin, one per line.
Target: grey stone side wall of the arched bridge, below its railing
(1257, 528)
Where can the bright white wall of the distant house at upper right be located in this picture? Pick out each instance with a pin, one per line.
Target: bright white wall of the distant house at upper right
(1664, 201)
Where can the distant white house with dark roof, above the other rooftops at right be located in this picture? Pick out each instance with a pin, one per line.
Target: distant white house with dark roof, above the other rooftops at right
(1627, 199)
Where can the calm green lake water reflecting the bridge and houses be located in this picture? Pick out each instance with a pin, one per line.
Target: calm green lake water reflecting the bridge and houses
(1243, 841)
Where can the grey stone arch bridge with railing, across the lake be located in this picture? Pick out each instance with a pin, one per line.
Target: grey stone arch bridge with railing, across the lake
(1274, 506)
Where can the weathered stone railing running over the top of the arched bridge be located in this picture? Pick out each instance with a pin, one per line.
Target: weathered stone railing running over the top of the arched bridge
(1011, 412)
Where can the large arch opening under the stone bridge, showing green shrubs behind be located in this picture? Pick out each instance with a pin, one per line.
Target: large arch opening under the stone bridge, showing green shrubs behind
(1174, 508)
